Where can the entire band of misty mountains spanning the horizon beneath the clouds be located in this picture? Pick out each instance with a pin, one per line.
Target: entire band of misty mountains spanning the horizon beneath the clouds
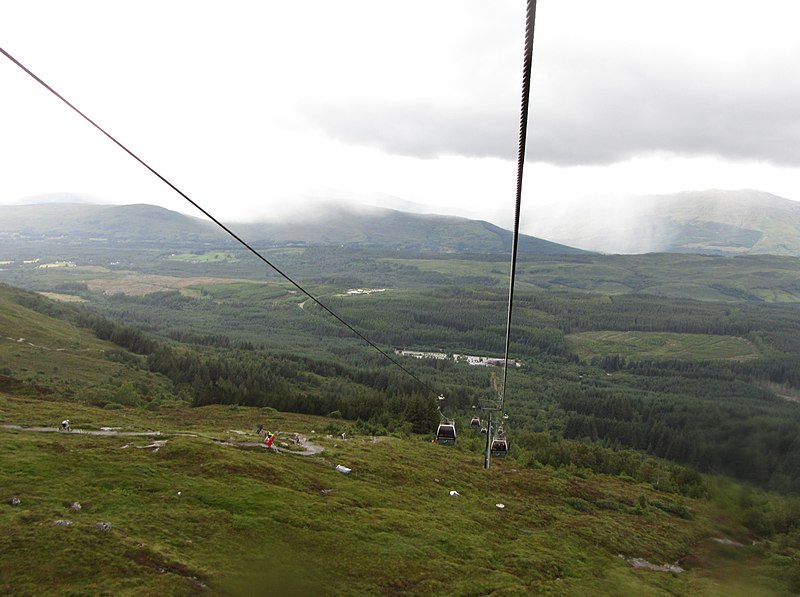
(712, 222)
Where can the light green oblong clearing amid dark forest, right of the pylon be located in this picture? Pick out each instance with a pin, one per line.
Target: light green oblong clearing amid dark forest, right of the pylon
(661, 345)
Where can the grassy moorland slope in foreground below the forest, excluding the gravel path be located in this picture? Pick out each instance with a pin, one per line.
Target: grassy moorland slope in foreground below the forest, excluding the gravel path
(247, 520)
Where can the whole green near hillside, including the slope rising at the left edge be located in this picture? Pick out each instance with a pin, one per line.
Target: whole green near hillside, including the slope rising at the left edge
(204, 513)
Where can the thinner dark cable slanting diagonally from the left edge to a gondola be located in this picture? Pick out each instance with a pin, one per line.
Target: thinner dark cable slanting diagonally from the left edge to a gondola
(217, 222)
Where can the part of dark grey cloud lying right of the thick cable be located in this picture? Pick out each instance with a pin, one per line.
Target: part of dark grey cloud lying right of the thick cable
(748, 114)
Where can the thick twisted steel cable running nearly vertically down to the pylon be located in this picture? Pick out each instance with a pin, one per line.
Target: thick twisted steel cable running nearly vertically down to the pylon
(530, 19)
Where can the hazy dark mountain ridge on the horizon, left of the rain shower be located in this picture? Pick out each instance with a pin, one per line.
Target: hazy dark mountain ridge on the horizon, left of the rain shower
(358, 228)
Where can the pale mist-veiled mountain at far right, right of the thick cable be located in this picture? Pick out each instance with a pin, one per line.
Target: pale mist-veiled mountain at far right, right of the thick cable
(721, 222)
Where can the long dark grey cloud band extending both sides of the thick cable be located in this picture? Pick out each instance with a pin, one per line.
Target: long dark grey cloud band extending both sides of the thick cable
(588, 113)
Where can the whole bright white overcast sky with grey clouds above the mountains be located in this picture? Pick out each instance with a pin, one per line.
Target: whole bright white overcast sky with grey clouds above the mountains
(267, 108)
